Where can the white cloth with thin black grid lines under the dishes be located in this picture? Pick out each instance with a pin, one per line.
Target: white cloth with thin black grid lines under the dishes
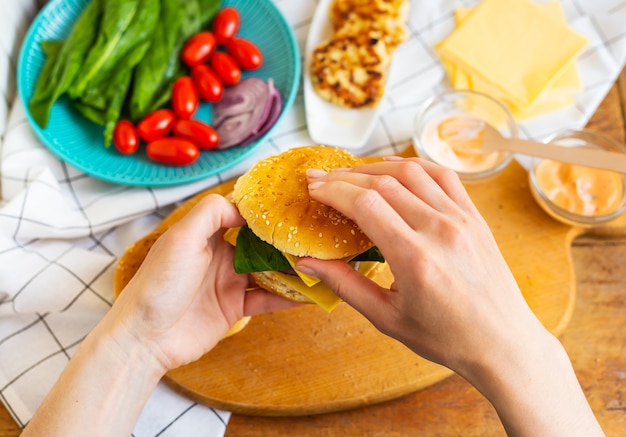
(62, 231)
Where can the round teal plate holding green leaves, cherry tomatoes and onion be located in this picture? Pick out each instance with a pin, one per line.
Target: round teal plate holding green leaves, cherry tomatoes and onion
(79, 142)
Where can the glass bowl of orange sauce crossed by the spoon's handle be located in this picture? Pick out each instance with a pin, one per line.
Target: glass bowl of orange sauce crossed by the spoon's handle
(575, 195)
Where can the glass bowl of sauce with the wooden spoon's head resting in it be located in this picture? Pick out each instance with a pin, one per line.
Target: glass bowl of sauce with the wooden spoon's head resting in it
(462, 104)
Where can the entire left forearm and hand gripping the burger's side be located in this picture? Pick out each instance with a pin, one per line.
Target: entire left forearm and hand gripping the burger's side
(181, 302)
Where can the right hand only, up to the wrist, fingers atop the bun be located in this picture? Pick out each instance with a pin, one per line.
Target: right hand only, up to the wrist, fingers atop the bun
(454, 299)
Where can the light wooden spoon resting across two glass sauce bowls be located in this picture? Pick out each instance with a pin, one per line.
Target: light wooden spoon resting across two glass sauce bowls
(473, 139)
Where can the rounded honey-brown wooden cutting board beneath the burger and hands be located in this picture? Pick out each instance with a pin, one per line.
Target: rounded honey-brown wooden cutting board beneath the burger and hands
(304, 361)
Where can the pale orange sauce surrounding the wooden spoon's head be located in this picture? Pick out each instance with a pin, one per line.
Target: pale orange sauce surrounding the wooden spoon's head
(455, 142)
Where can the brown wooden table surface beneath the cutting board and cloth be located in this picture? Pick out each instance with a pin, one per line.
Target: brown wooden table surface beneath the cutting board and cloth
(595, 340)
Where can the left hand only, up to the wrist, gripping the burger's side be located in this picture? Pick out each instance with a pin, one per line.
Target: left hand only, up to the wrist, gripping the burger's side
(186, 295)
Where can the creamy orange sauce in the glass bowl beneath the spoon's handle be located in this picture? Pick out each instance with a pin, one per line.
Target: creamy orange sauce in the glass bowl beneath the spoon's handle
(581, 190)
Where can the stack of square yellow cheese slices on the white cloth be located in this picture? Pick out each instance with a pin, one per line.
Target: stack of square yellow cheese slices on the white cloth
(519, 52)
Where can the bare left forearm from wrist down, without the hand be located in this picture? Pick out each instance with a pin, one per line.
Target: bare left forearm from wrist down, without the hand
(98, 393)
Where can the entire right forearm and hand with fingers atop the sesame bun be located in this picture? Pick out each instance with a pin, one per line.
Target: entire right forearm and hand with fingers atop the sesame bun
(454, 300)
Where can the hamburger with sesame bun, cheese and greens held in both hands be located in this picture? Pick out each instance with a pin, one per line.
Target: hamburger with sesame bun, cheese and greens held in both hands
(284, 223)
